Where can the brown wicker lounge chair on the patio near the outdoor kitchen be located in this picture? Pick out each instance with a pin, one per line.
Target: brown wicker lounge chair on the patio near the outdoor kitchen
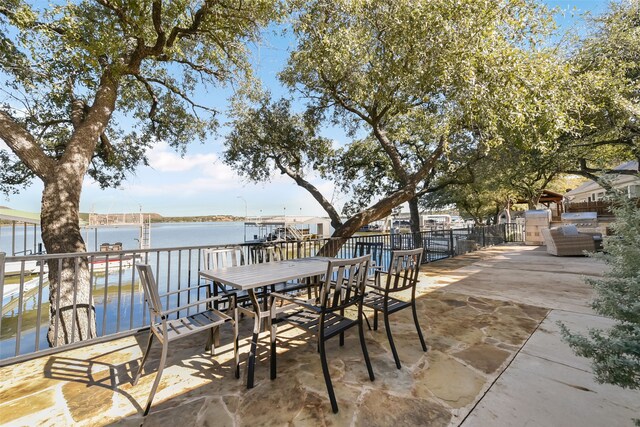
(568, 241)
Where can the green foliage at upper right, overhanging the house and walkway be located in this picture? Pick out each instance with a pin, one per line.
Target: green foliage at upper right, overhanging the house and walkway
(580, 116)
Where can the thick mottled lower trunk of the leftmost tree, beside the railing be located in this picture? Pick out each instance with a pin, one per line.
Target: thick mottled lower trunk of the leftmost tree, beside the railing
(72, 312)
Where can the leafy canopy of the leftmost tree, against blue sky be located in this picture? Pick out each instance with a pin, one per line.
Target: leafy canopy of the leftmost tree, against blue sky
(55, 58)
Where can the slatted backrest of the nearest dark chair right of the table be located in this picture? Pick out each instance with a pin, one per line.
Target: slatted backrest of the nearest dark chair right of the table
(344, 283)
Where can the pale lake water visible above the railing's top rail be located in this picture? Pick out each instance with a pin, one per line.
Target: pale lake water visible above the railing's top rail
(163, 235)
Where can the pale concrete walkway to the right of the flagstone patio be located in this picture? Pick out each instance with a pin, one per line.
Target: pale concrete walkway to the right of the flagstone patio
(545, 384)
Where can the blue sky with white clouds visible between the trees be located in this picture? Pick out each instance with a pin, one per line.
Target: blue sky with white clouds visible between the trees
(199, 183)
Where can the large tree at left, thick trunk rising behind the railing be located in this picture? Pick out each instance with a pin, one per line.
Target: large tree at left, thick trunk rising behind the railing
(70, 69)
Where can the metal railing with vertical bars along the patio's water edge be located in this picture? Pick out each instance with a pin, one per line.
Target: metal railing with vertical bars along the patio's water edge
(118, 301)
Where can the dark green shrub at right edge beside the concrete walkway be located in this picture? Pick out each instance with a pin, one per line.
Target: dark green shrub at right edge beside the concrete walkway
(615, 353)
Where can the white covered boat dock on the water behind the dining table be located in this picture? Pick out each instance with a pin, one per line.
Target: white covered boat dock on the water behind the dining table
(285, 229)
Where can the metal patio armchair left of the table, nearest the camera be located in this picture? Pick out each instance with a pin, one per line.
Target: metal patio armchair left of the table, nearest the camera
(168, 330)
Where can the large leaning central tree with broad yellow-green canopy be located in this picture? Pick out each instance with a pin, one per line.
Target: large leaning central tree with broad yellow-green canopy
(417, 77)
